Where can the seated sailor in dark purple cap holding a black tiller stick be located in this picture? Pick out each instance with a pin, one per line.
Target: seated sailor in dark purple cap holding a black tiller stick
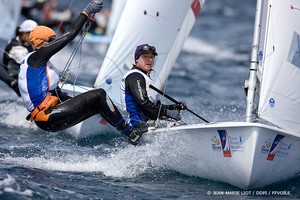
(137, 98)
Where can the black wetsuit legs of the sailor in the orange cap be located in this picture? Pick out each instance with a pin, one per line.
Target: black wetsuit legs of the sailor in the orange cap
(81, 107)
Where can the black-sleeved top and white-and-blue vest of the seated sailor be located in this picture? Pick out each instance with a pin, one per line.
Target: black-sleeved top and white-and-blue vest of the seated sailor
(139, 106)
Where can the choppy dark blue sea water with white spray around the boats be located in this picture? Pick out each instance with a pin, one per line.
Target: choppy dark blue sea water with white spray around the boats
(208, 76)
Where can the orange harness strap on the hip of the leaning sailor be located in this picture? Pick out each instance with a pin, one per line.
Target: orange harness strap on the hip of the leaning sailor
(38, 114)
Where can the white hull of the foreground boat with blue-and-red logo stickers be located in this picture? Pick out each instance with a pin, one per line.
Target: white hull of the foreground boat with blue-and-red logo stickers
(250, 161)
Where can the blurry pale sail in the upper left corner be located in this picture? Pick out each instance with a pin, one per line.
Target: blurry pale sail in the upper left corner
(10, 10)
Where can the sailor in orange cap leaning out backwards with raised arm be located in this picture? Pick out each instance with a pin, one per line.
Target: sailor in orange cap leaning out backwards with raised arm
(51, 109)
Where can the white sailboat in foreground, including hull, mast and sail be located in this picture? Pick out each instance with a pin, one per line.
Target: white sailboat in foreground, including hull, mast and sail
(263, 149)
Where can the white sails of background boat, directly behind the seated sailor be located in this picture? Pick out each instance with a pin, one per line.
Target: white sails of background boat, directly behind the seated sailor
(163, 24)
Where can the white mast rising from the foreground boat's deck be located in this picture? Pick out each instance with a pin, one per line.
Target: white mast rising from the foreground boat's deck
(254, 62)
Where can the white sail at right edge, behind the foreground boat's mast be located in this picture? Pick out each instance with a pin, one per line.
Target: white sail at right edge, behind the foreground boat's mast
(279, 64)
